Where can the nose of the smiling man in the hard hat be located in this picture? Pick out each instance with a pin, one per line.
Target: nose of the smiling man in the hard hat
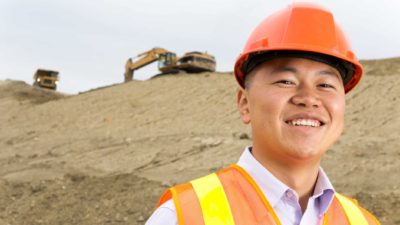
(306, 97)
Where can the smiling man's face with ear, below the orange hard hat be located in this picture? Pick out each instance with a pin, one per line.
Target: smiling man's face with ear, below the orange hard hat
(295, 107)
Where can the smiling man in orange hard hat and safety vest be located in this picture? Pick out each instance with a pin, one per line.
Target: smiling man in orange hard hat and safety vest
(294, 72)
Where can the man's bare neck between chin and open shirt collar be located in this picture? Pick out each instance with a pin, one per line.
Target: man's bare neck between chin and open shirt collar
(299, 176)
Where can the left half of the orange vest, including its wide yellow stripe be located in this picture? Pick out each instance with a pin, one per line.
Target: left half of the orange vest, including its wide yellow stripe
(222, 198)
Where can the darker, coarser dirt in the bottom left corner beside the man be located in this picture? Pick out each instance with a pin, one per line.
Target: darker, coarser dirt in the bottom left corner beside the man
(79, 199)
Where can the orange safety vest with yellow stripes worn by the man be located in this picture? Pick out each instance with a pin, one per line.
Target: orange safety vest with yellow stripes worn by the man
(231, 197)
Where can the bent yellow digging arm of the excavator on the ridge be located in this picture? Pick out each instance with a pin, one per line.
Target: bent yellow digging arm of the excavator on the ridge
(143, 59)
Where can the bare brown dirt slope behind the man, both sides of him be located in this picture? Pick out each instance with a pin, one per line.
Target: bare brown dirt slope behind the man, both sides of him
(106, 155)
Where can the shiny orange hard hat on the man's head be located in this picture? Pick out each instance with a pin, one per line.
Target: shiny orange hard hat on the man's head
(300, 30)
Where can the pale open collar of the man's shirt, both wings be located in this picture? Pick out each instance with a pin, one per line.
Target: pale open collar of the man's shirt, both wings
(273, 189)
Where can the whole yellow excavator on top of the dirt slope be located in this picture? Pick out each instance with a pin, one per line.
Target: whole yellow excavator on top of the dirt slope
(168, 62)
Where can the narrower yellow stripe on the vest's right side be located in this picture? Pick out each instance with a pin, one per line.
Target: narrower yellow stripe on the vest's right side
(353, 213)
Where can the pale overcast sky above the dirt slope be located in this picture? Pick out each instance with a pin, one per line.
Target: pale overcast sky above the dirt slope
(89, 41)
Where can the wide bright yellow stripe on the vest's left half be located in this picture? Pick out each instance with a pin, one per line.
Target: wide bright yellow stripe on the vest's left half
(213, 201)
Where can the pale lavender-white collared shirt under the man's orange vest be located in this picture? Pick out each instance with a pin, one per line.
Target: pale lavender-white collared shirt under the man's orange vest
(284, 200)
